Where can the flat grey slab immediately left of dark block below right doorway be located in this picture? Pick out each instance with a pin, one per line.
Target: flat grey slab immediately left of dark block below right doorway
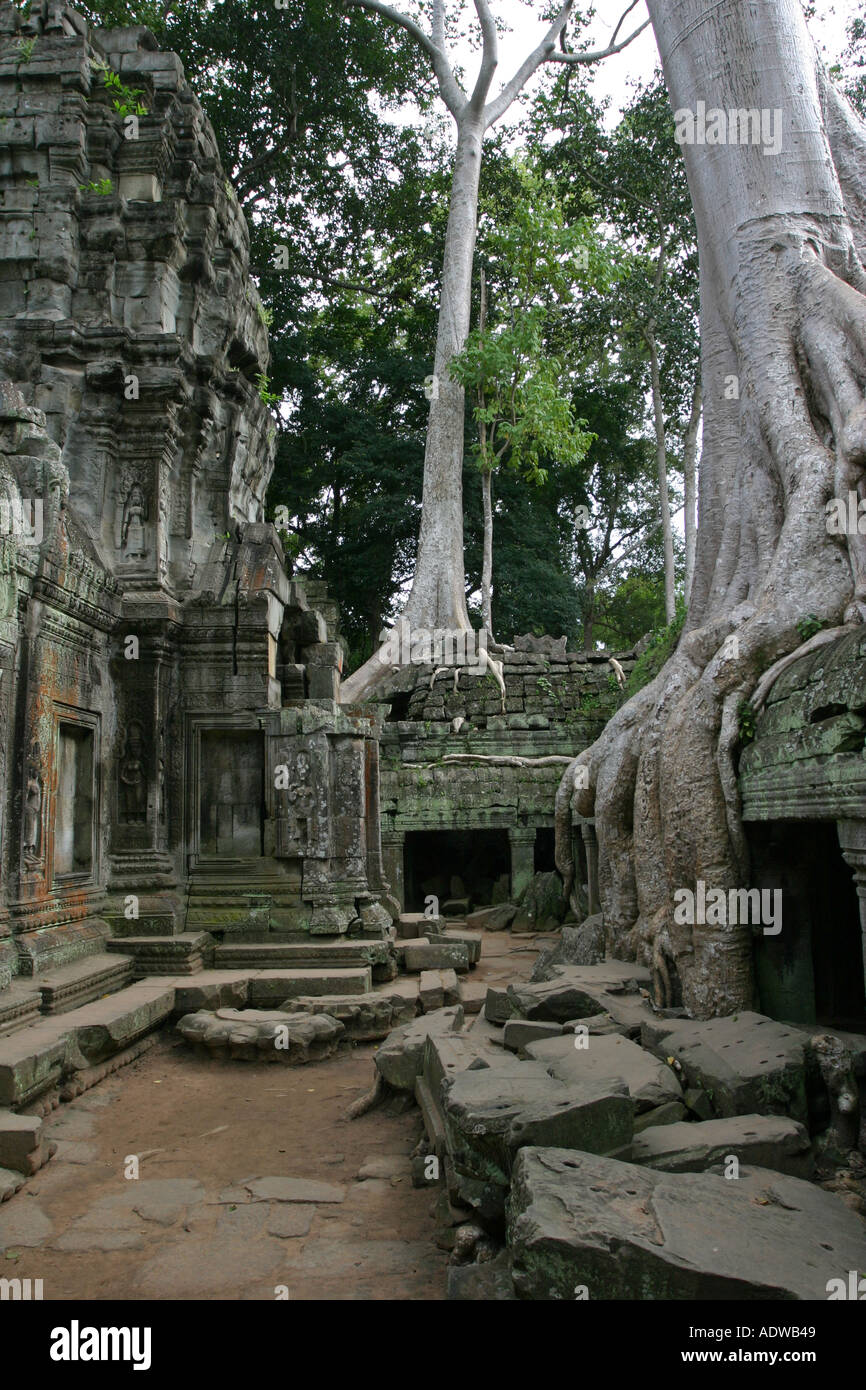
(610, 1057)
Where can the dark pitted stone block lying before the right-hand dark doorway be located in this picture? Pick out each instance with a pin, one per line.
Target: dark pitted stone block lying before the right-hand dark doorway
(746, 1064)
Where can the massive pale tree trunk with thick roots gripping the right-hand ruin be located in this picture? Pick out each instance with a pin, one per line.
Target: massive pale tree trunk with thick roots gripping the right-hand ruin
(783, 316)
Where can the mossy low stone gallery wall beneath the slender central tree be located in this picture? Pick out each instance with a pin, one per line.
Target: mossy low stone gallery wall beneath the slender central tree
(557, 704)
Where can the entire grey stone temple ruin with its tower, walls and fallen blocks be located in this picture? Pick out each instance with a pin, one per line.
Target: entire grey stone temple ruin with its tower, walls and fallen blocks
(199, 840)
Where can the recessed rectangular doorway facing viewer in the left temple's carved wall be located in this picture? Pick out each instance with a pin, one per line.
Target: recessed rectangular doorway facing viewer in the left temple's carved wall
(231, 793)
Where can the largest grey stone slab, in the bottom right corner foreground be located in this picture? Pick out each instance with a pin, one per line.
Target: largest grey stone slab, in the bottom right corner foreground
(628, 1232)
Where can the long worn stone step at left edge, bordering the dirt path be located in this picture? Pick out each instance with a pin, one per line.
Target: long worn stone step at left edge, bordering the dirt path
(37, 1058)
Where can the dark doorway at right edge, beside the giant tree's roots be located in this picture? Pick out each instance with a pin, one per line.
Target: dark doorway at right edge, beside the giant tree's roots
(812, 972)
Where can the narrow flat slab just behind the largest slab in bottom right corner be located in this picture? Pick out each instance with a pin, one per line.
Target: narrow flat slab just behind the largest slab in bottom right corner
(758, 1140)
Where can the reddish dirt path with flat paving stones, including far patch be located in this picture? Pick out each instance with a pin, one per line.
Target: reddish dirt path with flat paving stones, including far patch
(188, 1228)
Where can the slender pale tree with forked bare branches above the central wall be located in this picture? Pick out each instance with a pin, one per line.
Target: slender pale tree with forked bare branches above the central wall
(439, 591)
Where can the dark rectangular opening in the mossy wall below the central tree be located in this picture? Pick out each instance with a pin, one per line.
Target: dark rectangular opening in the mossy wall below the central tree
(437, 862)
